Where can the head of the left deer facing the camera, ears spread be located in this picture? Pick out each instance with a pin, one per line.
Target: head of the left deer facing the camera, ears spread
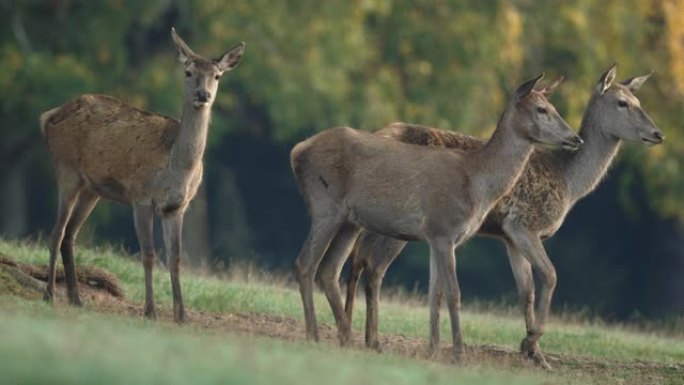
(201, 74)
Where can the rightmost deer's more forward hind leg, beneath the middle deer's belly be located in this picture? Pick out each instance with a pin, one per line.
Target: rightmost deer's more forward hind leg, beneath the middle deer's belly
(383, 251)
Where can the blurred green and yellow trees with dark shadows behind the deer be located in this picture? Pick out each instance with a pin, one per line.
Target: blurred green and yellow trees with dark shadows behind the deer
(310, 65)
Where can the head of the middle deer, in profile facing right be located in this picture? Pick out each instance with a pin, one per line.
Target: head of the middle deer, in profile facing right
(538, 119)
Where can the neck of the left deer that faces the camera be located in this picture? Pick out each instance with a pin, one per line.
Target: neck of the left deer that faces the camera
(188, 148)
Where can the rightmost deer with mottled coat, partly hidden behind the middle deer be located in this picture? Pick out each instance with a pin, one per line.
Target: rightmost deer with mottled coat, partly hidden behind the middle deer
(552, 182)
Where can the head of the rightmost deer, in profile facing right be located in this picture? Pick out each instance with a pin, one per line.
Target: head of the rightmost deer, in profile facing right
(620, 112)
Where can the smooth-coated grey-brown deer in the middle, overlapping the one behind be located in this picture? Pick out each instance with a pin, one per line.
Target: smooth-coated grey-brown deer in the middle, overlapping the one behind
(349, 178)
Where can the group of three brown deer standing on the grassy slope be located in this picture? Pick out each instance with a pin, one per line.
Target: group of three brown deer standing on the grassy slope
(367, 193)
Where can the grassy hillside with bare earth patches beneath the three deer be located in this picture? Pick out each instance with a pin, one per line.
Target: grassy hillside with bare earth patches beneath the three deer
(231, 315)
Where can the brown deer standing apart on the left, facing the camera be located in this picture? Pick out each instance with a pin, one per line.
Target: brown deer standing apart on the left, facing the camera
(102, 147)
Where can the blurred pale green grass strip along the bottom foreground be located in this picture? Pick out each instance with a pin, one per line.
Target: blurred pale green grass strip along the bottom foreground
(73, 346)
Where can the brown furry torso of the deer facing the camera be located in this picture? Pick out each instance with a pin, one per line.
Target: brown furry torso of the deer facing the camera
(108, 140)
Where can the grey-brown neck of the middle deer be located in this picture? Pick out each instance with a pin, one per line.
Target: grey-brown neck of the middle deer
(499, 164)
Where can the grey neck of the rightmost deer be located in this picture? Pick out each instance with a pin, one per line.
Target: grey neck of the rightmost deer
(585, 167)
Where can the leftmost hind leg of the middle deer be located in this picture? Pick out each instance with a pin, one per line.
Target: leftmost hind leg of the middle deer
(322, 232)
